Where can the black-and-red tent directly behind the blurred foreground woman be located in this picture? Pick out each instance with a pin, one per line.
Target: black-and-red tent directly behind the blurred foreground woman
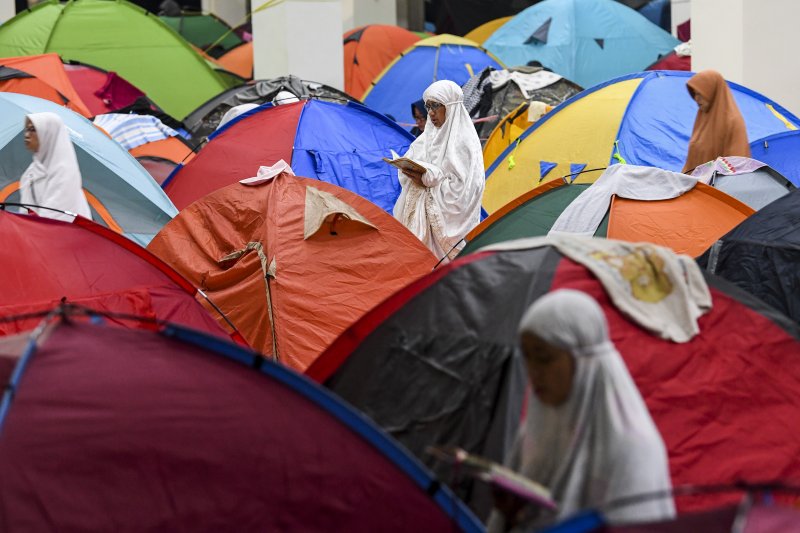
(439, 362)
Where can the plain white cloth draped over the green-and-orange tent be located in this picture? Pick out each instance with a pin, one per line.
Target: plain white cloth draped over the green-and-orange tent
(584, 215)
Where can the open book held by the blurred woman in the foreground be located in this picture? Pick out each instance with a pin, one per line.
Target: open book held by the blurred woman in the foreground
(496, 475)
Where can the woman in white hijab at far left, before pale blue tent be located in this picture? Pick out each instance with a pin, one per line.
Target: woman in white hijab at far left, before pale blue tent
(53, 179)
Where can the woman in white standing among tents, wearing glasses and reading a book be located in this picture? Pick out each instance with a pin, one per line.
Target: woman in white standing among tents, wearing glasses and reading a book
(441, 205)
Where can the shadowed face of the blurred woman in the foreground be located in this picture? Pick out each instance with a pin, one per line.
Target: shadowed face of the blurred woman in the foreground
(550, 370)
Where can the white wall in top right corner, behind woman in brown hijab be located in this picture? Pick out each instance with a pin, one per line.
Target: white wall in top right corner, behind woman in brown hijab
(751, 42)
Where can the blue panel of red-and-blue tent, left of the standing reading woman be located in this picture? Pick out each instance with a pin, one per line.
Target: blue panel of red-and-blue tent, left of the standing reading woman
(344, 144)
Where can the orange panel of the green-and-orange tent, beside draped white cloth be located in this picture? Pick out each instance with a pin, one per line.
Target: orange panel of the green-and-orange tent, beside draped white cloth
(689, 224)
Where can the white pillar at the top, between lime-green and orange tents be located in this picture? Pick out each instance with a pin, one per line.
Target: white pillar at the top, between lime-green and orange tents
(299, 37)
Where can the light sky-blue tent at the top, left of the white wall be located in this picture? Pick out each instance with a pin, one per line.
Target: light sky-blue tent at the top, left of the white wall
(587, 41)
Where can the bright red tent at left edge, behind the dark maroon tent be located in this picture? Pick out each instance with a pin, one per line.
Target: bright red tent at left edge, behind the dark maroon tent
(46, 260)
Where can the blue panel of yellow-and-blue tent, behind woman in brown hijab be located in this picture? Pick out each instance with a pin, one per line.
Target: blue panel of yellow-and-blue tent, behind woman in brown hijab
(658, 122)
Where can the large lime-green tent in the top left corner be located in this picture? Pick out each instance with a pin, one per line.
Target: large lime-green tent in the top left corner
(121, 37)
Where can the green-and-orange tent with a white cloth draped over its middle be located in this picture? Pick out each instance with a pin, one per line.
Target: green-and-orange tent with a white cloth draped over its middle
(687, 224)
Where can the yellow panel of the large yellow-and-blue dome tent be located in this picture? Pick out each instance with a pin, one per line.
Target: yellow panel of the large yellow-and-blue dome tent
(582, 132)
